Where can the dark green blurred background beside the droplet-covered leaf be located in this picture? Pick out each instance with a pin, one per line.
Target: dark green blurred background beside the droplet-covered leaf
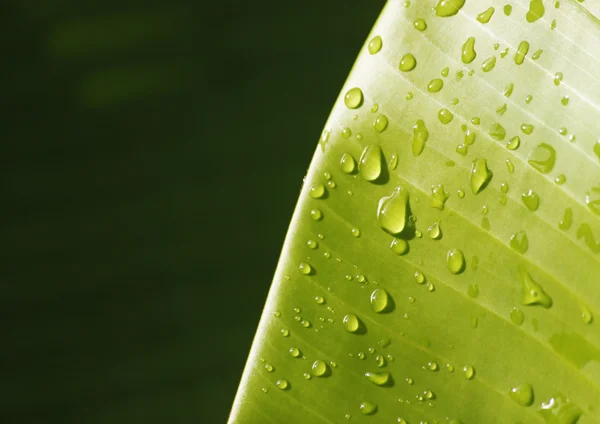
(151, 157)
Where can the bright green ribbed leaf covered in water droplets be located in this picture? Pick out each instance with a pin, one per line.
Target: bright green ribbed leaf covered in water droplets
(442, 264)
